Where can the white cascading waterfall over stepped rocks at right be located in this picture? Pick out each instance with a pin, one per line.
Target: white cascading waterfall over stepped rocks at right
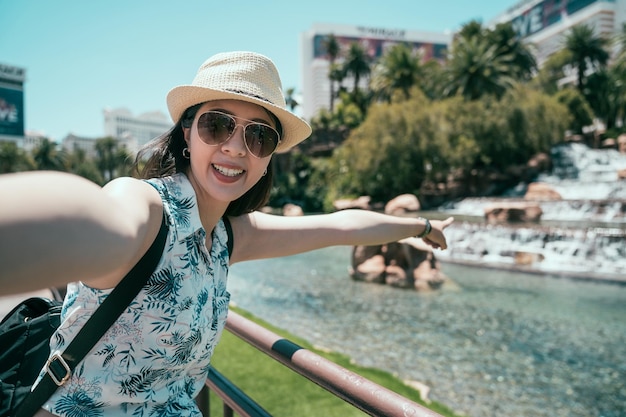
(582, 235)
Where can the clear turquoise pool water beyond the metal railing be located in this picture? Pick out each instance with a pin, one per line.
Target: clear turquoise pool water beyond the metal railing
(492, 343)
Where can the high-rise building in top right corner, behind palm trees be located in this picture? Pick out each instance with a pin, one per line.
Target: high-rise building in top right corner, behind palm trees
(545, 23)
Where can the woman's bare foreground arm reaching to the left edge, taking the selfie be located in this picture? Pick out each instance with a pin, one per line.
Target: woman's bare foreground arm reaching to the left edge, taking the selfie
(57, 228)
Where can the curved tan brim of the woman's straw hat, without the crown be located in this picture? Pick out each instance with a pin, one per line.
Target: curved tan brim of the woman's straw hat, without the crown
(294, 128)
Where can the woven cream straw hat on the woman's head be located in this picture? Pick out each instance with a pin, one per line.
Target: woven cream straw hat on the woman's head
(245, 76)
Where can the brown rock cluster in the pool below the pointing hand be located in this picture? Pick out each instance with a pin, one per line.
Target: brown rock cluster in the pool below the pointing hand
(409, 263)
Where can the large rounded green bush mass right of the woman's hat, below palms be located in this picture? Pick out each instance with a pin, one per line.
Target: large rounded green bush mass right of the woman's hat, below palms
(405, 147)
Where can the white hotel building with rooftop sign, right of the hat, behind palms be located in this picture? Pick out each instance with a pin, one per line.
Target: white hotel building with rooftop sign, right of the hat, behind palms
(315, 64)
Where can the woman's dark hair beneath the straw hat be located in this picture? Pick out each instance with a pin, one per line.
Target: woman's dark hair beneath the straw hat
(163, 156)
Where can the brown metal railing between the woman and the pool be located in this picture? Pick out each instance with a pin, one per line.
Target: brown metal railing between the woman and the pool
(353, 388)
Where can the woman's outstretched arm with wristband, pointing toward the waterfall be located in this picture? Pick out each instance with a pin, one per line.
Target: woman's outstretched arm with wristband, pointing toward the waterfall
(260, 235)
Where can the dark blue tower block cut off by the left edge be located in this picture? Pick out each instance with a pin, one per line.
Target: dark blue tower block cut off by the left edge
(12, 103)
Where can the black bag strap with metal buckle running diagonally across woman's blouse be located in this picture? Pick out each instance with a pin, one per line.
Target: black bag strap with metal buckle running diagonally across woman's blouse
(60, 367)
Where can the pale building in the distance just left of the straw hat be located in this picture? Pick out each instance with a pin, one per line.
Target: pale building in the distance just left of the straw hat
(135, 131)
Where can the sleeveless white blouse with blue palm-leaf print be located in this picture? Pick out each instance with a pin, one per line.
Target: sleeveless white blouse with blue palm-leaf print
(154, 360)
